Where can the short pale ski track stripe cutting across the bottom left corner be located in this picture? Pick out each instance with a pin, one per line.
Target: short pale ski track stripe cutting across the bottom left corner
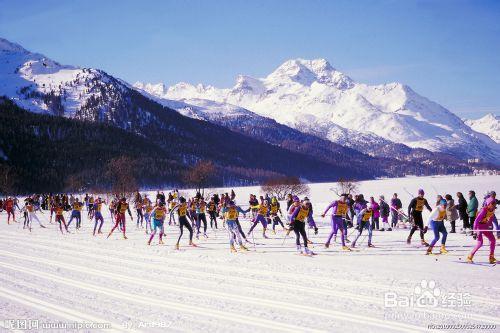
(56, 310)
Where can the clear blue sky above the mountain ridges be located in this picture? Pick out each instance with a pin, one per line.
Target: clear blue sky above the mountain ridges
(447, 50)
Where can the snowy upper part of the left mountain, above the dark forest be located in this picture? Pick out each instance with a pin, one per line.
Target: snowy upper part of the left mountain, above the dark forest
(40, 84)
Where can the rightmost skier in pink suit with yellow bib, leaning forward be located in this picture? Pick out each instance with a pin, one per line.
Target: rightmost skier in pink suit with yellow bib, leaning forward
(483, 225)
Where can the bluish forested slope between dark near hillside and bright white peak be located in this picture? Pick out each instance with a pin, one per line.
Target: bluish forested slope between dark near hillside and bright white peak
(403, 160)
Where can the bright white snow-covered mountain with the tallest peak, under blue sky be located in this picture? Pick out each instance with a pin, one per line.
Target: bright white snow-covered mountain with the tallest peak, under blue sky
(314, 97)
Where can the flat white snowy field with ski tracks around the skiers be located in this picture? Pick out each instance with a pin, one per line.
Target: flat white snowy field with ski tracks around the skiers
(47, 277)
